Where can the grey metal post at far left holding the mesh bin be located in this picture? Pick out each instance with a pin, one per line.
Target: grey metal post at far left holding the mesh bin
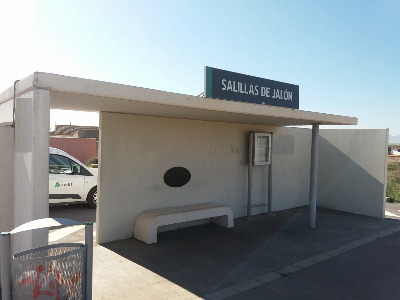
(6, 266)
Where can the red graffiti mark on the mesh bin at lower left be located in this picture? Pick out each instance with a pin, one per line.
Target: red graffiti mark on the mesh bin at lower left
(45, 285)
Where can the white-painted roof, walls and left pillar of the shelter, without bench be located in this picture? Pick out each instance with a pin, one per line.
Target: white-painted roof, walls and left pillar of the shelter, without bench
(207, 136)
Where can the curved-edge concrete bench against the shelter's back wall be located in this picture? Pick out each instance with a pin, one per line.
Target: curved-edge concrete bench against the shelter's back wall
(147, 223)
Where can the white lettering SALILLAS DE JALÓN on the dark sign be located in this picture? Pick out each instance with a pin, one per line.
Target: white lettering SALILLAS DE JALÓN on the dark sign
(251, 89)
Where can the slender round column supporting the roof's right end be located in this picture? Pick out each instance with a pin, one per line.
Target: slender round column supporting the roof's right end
(313, 175)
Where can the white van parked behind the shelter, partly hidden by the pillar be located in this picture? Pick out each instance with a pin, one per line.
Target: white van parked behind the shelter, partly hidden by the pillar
(70, 180)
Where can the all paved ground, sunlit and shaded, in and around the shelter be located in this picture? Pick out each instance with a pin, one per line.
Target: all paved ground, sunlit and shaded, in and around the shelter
(269, 257)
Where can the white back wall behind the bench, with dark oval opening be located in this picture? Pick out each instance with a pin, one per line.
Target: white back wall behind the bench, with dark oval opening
(136, 151)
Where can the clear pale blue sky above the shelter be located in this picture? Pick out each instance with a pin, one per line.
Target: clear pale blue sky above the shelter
(344, 55)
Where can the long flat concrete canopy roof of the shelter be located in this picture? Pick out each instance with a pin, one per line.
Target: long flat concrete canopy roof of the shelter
(79, 94)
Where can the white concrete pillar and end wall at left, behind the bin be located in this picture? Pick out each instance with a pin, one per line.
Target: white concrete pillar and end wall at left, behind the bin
(24, 157)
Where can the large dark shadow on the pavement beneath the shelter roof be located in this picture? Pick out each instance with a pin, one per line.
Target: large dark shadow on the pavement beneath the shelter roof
(208, 258)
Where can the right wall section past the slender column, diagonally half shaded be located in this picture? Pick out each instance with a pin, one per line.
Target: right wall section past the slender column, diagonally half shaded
(352, 170)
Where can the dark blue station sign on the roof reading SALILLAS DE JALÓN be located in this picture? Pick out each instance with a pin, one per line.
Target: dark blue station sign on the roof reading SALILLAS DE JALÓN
(221, 84)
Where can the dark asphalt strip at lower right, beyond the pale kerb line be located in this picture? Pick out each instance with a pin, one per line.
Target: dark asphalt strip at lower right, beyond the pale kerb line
(366, 272)
